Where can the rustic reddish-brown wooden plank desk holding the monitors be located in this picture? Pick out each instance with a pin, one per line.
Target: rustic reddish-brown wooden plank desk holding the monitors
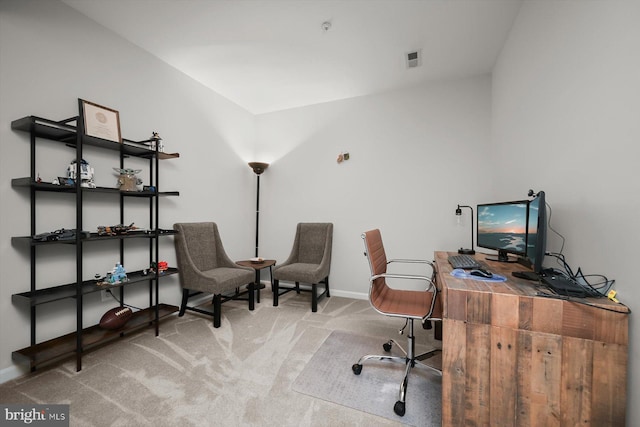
(511, 358)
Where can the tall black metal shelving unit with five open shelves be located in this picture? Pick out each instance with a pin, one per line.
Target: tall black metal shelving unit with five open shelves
(85, 339)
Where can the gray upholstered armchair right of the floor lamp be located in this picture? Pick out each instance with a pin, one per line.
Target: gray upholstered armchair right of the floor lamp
(309, 262)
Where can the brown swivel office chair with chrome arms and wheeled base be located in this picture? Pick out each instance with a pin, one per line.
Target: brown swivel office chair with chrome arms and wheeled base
(411, 305)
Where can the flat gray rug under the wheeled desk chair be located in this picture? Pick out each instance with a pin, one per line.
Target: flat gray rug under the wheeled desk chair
(328, 376)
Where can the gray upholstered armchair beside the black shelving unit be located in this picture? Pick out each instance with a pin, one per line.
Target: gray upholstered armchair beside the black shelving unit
(204, 267)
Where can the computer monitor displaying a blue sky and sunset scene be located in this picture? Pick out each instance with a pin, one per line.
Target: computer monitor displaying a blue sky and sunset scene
(503, 227)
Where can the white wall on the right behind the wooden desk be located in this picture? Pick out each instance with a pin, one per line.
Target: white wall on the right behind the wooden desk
(566, 98)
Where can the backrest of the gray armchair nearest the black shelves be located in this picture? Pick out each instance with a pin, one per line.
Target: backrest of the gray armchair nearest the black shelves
(200, 242)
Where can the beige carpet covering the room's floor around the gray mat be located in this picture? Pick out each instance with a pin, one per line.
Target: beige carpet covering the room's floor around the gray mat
(194, 375)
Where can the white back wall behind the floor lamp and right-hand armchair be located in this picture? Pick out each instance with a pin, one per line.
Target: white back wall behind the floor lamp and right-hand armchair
(414, 155)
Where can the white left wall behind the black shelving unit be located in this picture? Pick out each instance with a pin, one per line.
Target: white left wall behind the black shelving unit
(50, 56)
